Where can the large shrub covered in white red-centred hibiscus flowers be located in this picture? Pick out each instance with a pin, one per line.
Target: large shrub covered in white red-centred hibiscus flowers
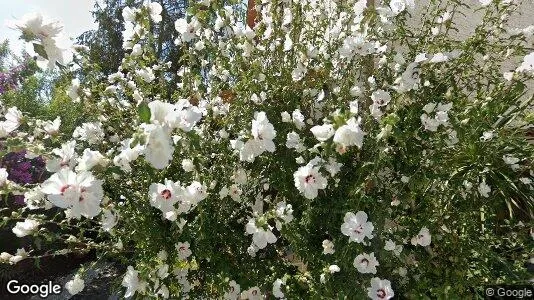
(332, 151)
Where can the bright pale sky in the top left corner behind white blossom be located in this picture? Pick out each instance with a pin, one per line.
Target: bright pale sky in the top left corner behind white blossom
(74, 14)
